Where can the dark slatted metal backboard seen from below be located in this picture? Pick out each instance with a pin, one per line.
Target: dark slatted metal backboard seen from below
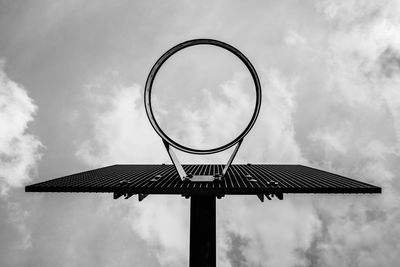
(240, 180)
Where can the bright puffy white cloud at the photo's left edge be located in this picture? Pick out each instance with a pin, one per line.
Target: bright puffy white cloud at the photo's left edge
(19, 150)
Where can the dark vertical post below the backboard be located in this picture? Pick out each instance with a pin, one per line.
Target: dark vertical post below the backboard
(202, 251)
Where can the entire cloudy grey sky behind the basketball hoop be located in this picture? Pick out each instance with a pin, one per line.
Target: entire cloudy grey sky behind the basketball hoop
(72, 75)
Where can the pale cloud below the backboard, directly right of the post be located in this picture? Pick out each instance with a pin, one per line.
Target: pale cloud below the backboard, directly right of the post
(277, 232)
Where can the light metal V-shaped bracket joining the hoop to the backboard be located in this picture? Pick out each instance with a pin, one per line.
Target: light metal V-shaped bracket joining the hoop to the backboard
(199, 178)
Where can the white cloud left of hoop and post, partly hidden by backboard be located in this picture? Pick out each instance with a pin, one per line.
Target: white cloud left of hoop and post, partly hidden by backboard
(121, 133)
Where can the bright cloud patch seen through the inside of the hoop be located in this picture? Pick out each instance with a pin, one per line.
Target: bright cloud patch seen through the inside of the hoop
(220, 118)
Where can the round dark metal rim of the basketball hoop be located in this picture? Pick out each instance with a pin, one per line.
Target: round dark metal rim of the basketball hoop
(161, 61)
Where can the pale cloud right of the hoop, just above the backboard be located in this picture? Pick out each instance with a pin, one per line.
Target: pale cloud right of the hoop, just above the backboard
(273, 138)
